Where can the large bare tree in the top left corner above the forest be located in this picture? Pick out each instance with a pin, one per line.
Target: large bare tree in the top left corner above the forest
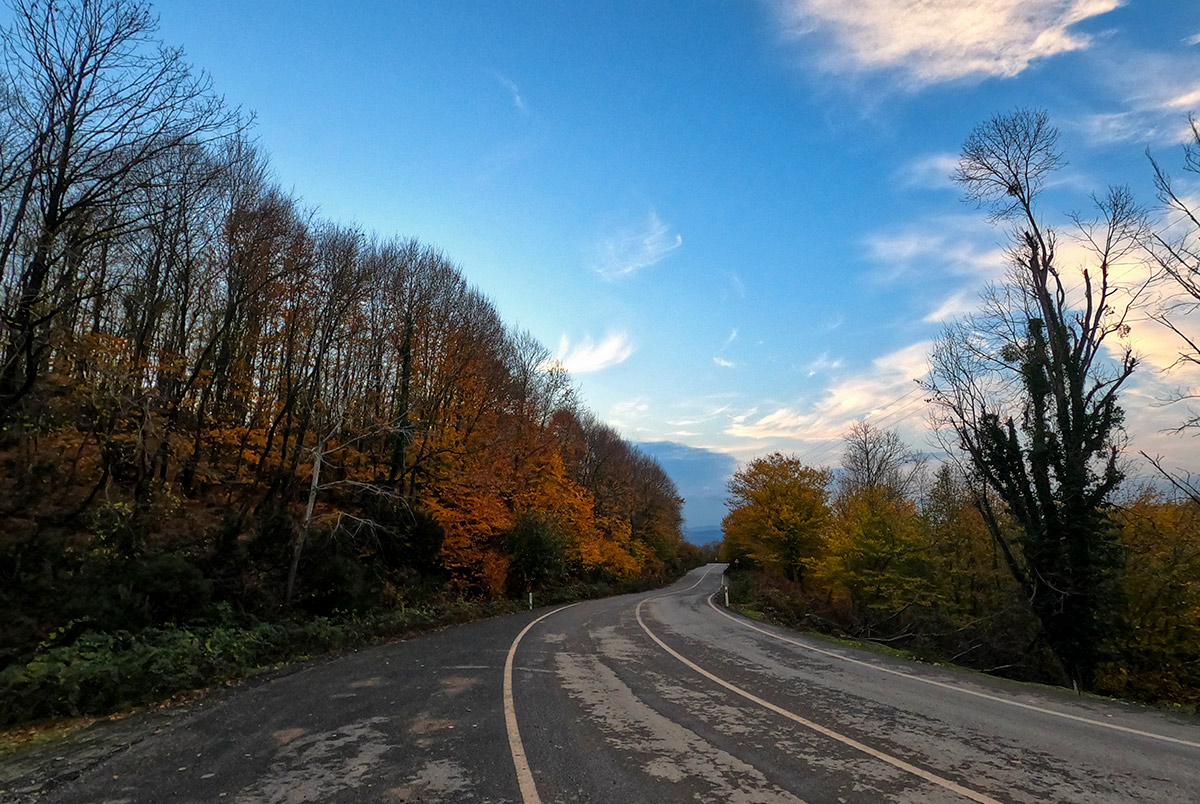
(92, 106)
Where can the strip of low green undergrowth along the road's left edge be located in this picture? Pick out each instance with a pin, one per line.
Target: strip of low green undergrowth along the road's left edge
(65, 688)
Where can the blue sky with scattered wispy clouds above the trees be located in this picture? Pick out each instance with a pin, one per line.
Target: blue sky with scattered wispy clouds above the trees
(731, 219)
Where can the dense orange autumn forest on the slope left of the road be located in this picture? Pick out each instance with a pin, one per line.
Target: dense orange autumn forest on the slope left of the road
(221, 412)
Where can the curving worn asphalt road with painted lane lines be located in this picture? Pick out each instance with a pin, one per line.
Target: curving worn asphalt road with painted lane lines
(653, 698)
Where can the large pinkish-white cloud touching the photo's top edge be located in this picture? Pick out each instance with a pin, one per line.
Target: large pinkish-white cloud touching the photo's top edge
(934, 41)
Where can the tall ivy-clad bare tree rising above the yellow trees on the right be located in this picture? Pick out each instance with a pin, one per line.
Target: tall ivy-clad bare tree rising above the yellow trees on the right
(1029, 389)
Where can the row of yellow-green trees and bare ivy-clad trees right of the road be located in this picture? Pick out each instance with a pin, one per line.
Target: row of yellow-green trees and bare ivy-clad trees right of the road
(1028, 551)
